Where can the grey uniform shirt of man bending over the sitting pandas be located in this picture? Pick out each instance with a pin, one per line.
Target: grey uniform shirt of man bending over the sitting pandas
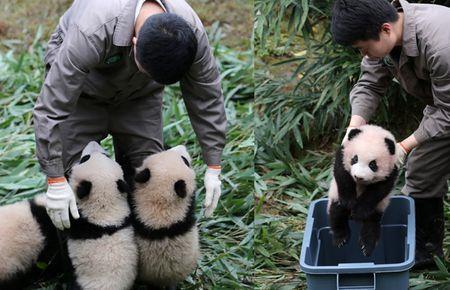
(91, 52)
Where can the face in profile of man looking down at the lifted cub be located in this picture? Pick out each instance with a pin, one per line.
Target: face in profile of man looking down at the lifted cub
(378, 48)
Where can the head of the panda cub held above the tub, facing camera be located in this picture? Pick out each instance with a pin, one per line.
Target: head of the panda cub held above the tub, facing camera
(369, 154)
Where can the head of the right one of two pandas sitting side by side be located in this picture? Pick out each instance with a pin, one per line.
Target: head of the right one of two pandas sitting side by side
(164, 188)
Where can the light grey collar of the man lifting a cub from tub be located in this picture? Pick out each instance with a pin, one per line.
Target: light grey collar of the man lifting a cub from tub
(409, 45)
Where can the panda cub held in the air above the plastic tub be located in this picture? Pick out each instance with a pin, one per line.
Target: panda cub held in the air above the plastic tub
(364, 176)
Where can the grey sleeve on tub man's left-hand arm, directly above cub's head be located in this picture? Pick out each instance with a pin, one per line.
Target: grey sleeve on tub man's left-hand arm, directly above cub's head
(371, 86)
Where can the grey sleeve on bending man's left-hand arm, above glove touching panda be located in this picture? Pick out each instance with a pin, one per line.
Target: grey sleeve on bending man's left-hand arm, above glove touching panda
(58, 97)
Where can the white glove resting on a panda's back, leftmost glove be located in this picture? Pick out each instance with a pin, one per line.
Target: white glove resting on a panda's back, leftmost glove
(60, 198)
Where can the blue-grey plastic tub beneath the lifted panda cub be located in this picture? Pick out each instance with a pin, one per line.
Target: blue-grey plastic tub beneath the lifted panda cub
(328, 267)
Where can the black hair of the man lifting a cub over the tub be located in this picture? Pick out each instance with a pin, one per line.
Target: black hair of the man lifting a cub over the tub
(355, 20)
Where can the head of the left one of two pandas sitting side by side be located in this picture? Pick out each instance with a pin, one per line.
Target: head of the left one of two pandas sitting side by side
(97, 182)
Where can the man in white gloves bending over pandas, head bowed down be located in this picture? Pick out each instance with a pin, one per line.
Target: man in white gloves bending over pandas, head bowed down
(106, 67)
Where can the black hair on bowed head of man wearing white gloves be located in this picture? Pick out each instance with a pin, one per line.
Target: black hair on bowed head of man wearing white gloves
(166, 47)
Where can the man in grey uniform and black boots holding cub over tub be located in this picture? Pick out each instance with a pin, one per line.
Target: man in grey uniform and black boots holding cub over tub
(409, 42)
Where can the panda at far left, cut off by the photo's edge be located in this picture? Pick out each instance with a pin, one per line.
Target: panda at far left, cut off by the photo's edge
(29, 244)
